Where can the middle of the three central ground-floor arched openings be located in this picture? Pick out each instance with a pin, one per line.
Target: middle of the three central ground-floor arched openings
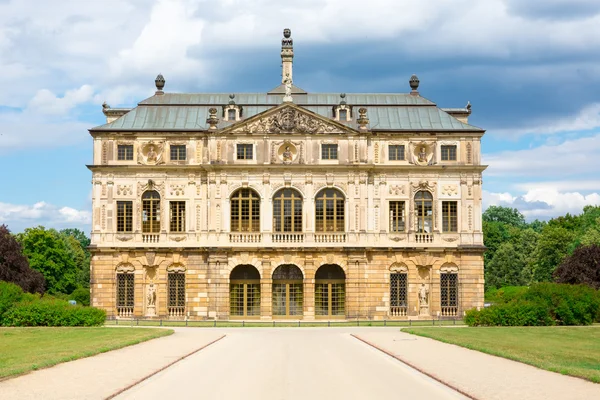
(288, 296)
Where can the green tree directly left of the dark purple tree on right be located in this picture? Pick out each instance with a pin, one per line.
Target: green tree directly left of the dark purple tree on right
(552, 248)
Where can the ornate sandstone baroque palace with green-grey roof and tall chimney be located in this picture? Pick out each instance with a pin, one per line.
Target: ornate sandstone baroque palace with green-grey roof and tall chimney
(286, 204)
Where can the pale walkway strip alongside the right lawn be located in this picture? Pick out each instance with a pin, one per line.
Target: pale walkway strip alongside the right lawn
(480, 375)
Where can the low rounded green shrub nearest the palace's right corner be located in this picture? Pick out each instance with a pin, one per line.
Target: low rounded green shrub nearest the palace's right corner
(510, 314)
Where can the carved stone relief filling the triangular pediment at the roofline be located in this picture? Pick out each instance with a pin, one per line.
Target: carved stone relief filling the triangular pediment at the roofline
(288, 120)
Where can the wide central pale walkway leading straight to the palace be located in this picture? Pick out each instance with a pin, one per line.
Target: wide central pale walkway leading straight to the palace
(290, 364)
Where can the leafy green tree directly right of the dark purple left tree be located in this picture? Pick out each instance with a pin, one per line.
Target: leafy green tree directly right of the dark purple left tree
(48, 252)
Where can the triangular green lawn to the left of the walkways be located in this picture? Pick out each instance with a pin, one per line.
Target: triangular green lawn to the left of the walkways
(26, 349)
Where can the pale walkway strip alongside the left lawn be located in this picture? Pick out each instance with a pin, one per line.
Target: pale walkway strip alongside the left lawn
(101, 376)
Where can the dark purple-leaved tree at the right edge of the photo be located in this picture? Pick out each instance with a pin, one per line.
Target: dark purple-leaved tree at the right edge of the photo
(582, 267)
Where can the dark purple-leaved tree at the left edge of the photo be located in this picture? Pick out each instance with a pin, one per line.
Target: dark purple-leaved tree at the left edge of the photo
(14, 266)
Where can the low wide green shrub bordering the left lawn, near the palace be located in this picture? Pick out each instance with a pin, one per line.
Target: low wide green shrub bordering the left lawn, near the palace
(52, 313)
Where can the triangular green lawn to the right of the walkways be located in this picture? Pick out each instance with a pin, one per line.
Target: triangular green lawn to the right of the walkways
(568, 350)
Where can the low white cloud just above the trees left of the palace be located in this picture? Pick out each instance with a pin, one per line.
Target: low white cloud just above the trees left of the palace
(42, 213)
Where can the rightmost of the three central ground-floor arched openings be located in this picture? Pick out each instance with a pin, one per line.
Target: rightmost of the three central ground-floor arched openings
(330, 291)
